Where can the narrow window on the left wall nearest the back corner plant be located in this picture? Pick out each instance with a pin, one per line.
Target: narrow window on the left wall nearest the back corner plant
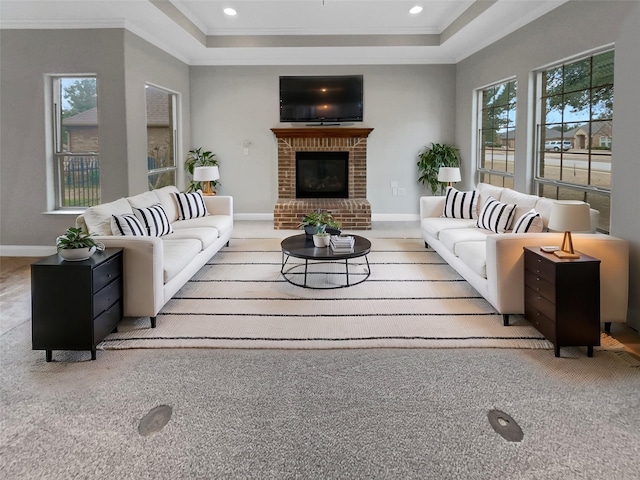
(161, 136)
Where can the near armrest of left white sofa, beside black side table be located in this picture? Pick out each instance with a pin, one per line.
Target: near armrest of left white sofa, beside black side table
(143, 282)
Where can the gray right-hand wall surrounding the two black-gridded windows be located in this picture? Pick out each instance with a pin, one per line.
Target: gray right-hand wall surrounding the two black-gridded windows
(569, 30)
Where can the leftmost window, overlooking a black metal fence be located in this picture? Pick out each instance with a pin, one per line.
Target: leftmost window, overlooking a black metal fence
(76, 143)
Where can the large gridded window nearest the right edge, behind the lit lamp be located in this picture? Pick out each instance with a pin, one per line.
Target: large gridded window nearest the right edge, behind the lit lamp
(575, 118)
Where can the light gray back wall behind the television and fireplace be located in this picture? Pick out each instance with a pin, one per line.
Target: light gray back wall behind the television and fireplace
(407, 106)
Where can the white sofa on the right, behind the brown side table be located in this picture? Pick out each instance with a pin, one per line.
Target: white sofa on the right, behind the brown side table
(493, 263)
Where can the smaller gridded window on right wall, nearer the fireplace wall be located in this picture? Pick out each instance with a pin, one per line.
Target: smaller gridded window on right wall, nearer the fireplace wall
(496, 134)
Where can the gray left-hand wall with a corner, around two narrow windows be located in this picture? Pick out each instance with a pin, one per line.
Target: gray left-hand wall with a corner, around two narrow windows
(123, 63)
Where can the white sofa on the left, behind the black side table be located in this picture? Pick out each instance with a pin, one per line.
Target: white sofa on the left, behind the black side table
(155, 268)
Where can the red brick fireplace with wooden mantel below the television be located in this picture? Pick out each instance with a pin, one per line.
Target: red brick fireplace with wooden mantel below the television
(353, 212)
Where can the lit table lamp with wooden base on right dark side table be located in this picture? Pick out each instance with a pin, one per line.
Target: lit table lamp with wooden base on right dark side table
(567, 216)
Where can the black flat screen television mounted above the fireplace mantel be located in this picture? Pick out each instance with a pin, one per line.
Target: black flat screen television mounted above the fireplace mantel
(321, 99)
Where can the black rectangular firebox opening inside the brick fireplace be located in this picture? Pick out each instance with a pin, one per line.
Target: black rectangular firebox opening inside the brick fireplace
(322, 174)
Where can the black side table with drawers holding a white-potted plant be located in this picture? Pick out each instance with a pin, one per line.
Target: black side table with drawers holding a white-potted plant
(74, 305)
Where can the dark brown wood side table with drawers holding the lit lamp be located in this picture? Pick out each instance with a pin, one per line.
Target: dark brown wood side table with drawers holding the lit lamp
(562, 298)
